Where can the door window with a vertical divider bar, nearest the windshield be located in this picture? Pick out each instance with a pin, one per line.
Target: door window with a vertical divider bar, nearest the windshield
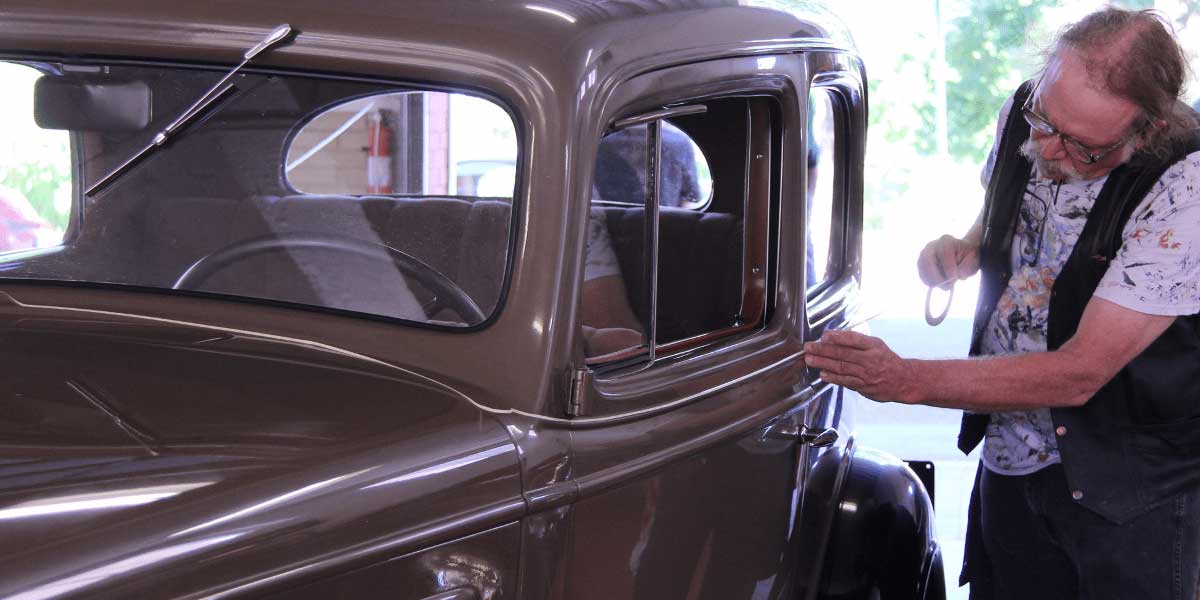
(694, 277)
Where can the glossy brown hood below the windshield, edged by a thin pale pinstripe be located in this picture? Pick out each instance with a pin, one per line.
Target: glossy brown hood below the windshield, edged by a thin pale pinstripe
(134, 448)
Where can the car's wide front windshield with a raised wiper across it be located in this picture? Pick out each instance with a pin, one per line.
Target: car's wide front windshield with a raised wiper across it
(355, 196)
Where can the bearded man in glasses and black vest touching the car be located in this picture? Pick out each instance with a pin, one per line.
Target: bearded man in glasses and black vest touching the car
(1089, 401)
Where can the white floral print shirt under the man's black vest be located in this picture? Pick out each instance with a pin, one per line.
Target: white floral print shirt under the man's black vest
(1156, 272)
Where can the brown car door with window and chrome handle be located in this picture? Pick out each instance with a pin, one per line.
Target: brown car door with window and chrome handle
(687, 441)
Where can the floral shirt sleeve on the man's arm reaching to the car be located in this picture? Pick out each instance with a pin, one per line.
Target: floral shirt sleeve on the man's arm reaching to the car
(1157, 271)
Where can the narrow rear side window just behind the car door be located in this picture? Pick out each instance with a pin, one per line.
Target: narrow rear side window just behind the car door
(823, 199)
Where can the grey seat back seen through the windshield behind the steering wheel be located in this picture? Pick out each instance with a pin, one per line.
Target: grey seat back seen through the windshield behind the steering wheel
(467, 242)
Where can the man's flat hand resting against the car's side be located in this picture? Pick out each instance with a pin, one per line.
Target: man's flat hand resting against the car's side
(863, 364)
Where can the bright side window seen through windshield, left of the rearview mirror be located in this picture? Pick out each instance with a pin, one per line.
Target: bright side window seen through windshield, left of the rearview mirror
(35, 170)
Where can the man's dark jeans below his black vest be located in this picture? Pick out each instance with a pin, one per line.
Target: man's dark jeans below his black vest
(1042, 545)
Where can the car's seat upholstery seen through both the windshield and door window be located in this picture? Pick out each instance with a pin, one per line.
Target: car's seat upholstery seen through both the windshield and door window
(700, 280)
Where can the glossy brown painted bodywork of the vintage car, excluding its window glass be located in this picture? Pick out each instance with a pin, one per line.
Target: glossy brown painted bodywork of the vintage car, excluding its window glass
(170, 447)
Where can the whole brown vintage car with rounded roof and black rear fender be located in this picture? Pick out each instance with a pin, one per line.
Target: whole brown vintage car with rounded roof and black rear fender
(437, 299)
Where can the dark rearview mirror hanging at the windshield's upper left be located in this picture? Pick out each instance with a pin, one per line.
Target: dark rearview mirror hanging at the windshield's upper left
(91, 104)
